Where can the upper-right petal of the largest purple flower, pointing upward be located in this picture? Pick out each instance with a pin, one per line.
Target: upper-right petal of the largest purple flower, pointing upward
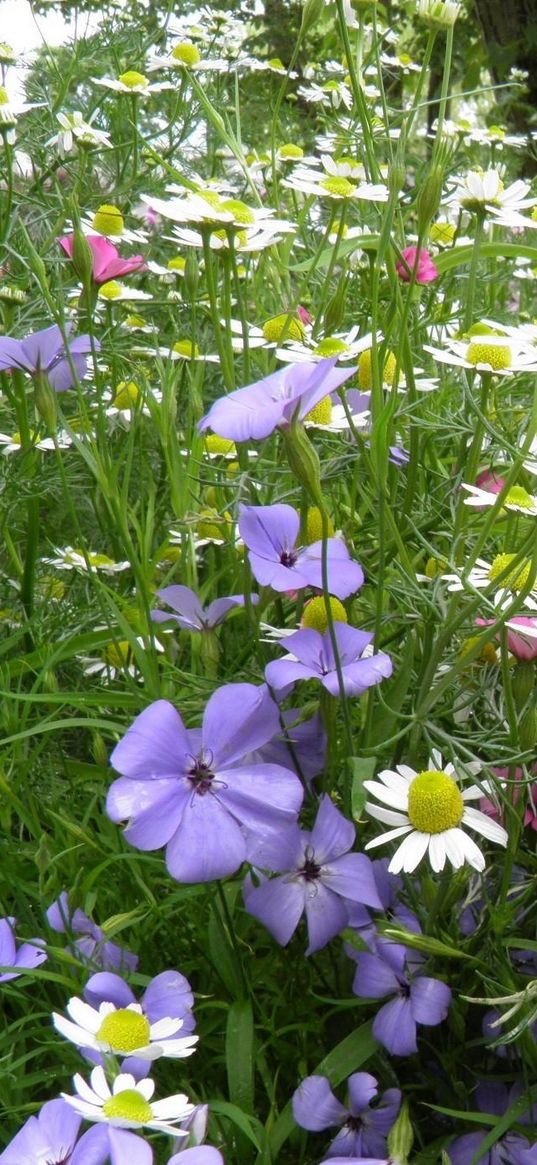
(239, 718)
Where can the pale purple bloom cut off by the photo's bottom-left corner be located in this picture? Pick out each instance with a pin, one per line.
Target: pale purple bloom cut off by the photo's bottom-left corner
(51, 1136)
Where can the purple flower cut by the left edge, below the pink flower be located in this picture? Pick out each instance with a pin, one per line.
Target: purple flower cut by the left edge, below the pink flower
(46, 352)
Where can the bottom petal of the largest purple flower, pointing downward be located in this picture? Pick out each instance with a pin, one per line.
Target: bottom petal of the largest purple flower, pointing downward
(208, 845)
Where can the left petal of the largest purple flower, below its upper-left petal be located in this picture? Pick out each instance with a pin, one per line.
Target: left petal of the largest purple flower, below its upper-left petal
(153, 810)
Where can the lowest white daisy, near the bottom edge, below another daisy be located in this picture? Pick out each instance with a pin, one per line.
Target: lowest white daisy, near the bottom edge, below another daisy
(129, 1105)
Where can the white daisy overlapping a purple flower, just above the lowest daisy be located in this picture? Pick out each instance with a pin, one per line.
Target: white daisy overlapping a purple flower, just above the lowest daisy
(123, 1032)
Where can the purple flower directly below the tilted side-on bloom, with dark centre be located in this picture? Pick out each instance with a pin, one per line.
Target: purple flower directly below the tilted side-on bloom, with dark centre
(271, 534)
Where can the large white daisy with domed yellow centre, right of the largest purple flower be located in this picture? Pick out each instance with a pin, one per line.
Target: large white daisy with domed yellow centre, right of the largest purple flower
(429, 810)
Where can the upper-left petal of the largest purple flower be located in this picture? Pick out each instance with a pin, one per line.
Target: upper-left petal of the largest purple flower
(156, 746)
